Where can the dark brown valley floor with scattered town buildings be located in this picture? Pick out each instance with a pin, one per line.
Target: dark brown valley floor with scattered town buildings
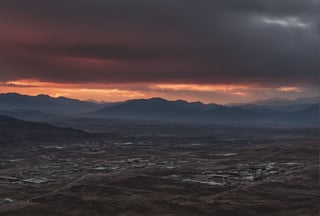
(275, 172)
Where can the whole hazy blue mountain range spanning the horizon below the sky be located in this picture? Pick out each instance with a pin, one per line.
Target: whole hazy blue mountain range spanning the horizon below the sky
(43, 108)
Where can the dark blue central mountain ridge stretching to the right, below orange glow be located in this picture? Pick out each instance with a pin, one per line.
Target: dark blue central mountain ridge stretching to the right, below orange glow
(160, 109)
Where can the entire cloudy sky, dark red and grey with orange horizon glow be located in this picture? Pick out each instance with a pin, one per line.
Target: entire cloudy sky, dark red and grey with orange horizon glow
(226, 51)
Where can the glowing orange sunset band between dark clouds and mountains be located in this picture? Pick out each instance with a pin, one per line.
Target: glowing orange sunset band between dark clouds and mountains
(121, 92)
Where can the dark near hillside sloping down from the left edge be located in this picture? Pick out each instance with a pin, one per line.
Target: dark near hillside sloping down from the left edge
(17, 131)
